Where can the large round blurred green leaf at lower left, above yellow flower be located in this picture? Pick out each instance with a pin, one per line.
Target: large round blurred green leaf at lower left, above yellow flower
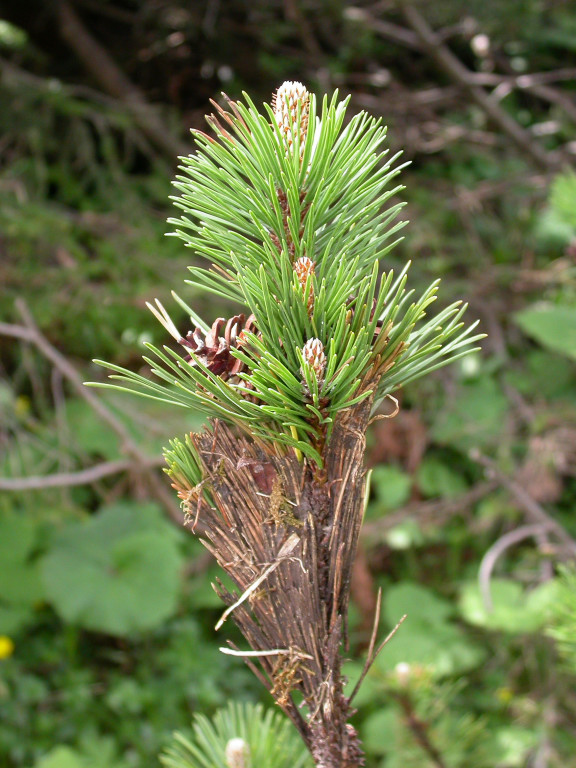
(117, 573)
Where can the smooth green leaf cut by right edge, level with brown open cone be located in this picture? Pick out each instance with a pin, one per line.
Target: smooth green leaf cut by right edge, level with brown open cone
(551, 325)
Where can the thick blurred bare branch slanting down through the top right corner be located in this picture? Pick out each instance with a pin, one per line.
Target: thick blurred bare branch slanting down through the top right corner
(454, 68)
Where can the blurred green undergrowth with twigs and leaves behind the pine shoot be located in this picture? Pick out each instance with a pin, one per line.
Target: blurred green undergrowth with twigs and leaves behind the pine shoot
(106, 609)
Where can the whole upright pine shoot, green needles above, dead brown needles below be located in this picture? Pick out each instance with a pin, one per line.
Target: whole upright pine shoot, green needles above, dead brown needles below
(288, 207)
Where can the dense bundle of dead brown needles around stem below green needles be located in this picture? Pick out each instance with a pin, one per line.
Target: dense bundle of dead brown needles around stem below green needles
(265, 500)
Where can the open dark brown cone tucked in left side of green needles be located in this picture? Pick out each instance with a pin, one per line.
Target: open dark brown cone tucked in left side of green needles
(213, 349)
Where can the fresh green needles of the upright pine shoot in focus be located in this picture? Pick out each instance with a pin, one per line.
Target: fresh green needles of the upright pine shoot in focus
(252, 207)
